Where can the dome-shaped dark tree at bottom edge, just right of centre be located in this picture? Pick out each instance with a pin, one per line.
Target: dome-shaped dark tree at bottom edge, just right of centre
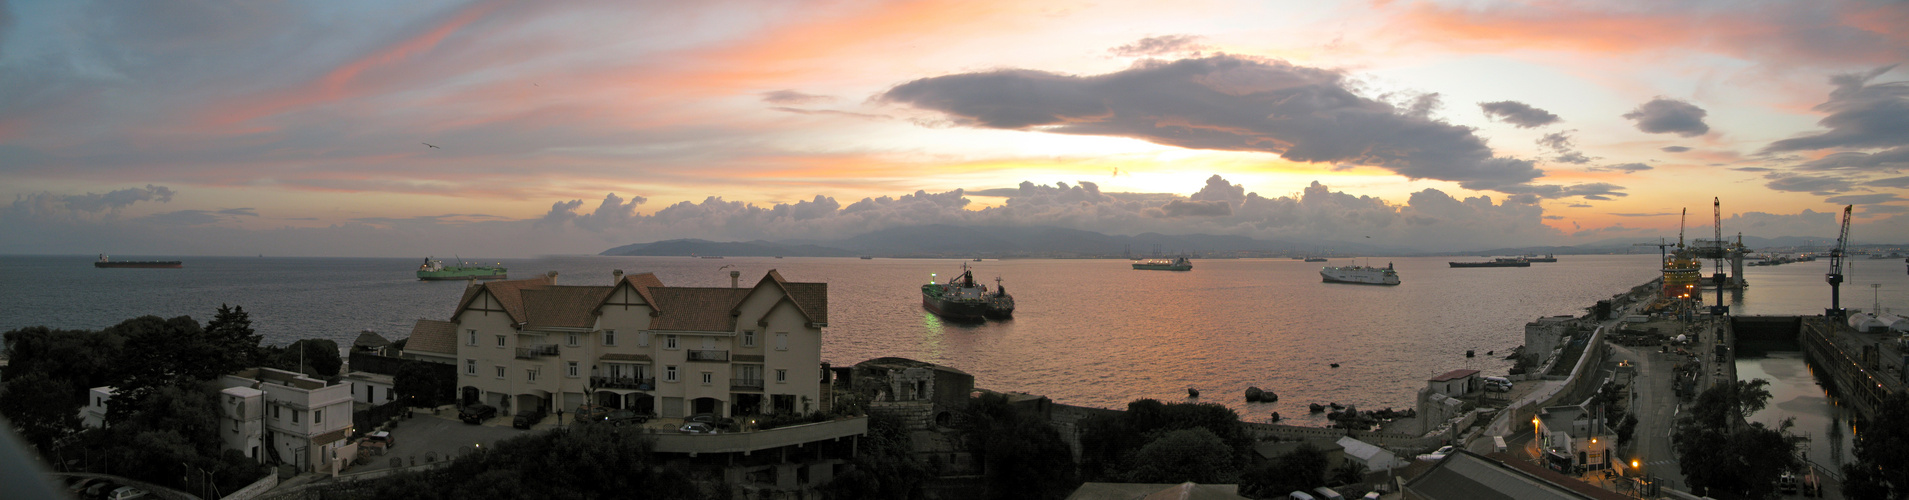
(1186, 455)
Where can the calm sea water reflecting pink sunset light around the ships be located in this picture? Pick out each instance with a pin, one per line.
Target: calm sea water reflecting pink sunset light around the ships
(1087, 331)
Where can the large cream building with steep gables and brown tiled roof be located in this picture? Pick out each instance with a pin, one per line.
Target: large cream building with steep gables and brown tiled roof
(640, 344)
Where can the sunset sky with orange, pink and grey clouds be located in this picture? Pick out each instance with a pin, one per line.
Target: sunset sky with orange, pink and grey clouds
(308, 129)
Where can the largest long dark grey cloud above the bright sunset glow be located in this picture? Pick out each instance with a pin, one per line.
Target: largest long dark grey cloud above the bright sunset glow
(1227, 104)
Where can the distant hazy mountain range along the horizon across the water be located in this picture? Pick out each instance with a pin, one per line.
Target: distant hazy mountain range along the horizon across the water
(1001, 241)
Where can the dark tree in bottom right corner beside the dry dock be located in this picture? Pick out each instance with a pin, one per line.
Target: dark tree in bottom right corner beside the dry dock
(1881, 469)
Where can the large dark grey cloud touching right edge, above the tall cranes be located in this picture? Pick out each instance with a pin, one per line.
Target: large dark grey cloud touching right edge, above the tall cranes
(1860, 115)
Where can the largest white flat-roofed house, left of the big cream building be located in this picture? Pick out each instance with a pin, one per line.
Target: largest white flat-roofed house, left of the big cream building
(304, 419)
